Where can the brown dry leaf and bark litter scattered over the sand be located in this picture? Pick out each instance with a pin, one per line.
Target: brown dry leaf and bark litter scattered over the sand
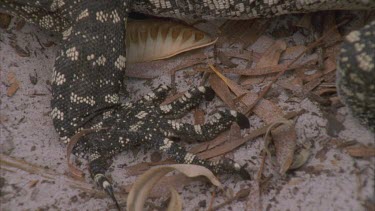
(236, 96)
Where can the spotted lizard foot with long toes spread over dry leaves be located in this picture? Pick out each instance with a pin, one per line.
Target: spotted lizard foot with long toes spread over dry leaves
(146, 123)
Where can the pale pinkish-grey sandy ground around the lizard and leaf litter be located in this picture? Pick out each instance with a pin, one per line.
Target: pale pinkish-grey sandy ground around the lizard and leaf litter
(329, 180)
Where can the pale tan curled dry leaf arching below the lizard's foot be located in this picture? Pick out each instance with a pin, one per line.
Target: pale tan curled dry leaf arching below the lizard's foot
(142, 187)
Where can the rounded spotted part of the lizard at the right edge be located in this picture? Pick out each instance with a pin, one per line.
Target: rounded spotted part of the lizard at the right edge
(356, 74)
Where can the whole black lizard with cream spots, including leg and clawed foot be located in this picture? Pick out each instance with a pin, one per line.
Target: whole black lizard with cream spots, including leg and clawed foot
(88, 76)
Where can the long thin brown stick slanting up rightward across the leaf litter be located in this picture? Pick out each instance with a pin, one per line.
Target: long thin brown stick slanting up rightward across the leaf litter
(315, 44)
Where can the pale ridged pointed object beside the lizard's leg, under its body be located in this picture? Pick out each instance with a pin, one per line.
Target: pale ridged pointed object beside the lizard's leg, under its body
(148, 40)
